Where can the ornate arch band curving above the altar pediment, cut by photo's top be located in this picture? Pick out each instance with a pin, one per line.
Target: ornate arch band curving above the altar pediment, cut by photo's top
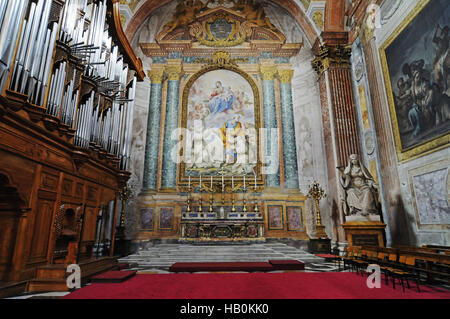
(291, 6)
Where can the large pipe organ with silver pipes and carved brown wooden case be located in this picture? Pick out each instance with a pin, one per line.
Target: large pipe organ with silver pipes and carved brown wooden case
(68, 80)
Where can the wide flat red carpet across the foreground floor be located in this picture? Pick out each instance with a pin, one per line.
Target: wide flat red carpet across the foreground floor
(252, 286)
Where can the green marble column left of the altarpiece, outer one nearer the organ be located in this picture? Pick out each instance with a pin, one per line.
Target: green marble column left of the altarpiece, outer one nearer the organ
(152, 142)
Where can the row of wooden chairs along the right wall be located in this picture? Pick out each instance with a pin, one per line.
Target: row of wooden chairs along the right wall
(400, 265)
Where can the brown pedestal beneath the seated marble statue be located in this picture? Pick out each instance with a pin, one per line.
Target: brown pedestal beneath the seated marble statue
(365, 233)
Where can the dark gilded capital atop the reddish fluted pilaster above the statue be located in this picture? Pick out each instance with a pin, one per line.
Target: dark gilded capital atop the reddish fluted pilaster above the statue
(331, 57)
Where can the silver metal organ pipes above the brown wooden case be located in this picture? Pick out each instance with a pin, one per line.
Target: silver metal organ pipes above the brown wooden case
(33, 72)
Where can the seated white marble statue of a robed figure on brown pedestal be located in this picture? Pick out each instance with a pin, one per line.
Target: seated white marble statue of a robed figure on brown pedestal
(361, 192)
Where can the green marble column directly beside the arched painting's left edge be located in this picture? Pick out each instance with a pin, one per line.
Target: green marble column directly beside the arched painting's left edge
(169, 167)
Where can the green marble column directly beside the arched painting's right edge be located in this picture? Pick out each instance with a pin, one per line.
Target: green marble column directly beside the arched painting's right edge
(271, 147)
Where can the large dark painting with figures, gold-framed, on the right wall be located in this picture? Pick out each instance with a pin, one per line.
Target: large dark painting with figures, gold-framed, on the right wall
(417, 67)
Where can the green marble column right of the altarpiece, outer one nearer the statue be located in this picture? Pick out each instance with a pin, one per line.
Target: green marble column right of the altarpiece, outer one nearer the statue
(287, 119)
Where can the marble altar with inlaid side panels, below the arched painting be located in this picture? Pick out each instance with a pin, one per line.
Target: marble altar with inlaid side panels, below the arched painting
(273, 213)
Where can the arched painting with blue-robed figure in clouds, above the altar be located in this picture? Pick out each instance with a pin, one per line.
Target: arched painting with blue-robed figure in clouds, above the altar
(221, 112)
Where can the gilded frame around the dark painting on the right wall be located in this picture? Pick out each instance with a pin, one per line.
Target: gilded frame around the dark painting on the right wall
(424, 146)
